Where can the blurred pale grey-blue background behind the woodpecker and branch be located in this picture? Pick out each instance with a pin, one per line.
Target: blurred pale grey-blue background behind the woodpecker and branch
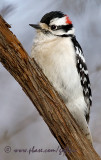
(21, 127)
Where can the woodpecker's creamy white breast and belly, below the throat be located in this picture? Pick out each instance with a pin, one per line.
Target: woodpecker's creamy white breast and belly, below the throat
(57, 59)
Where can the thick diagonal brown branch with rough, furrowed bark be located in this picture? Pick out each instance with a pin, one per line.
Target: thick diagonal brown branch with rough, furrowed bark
(37, 87)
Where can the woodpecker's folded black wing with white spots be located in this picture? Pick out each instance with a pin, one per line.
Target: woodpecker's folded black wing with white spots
(84, 77)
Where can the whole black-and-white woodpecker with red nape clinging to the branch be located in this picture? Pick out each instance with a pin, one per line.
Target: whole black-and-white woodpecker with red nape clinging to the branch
(60, 56)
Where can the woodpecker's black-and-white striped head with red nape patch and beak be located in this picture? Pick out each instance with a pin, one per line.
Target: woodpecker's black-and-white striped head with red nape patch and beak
(55, 23)
